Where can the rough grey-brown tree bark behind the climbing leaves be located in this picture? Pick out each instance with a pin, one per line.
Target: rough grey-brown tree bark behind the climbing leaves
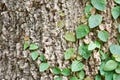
(43, 22)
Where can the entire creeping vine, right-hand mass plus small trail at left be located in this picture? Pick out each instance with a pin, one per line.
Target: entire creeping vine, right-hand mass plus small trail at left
(110, 66)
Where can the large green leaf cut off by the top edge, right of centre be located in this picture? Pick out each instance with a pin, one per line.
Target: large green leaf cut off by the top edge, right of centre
(99, 4)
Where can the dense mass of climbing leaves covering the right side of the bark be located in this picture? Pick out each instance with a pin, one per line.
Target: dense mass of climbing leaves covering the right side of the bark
(110, 65)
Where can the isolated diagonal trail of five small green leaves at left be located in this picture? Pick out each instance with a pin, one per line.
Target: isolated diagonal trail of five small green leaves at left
(35, 55)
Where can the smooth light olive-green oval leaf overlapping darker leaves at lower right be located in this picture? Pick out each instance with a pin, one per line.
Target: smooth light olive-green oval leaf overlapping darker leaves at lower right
(110, 65)
